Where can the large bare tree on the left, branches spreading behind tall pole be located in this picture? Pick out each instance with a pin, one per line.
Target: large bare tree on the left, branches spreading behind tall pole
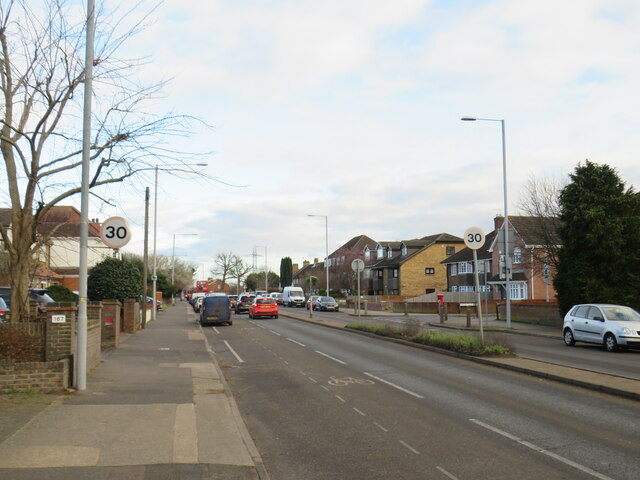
(41, 75)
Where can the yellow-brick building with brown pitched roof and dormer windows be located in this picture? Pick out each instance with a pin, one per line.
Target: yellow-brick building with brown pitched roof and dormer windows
(411, 267)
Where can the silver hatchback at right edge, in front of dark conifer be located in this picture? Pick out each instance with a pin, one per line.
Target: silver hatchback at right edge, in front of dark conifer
(608, 325)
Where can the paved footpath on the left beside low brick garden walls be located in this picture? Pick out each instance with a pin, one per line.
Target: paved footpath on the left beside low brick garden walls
(156, 408)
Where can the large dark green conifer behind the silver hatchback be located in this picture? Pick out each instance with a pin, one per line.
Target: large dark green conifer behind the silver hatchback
(598, 260)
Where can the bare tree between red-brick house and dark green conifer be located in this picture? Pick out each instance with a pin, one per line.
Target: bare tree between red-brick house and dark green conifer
(540, 199)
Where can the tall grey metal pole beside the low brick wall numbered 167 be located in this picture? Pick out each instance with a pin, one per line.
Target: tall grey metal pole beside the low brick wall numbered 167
(81, 345)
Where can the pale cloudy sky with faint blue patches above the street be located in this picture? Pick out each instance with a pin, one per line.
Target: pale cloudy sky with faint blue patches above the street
(351, 110)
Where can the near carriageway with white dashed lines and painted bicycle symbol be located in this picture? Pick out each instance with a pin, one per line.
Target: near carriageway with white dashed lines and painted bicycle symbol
(322, 403)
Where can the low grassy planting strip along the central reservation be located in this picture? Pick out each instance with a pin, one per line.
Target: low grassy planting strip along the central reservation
(457, 342)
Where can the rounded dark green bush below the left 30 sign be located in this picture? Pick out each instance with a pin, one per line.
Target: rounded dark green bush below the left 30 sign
(114, 279)
